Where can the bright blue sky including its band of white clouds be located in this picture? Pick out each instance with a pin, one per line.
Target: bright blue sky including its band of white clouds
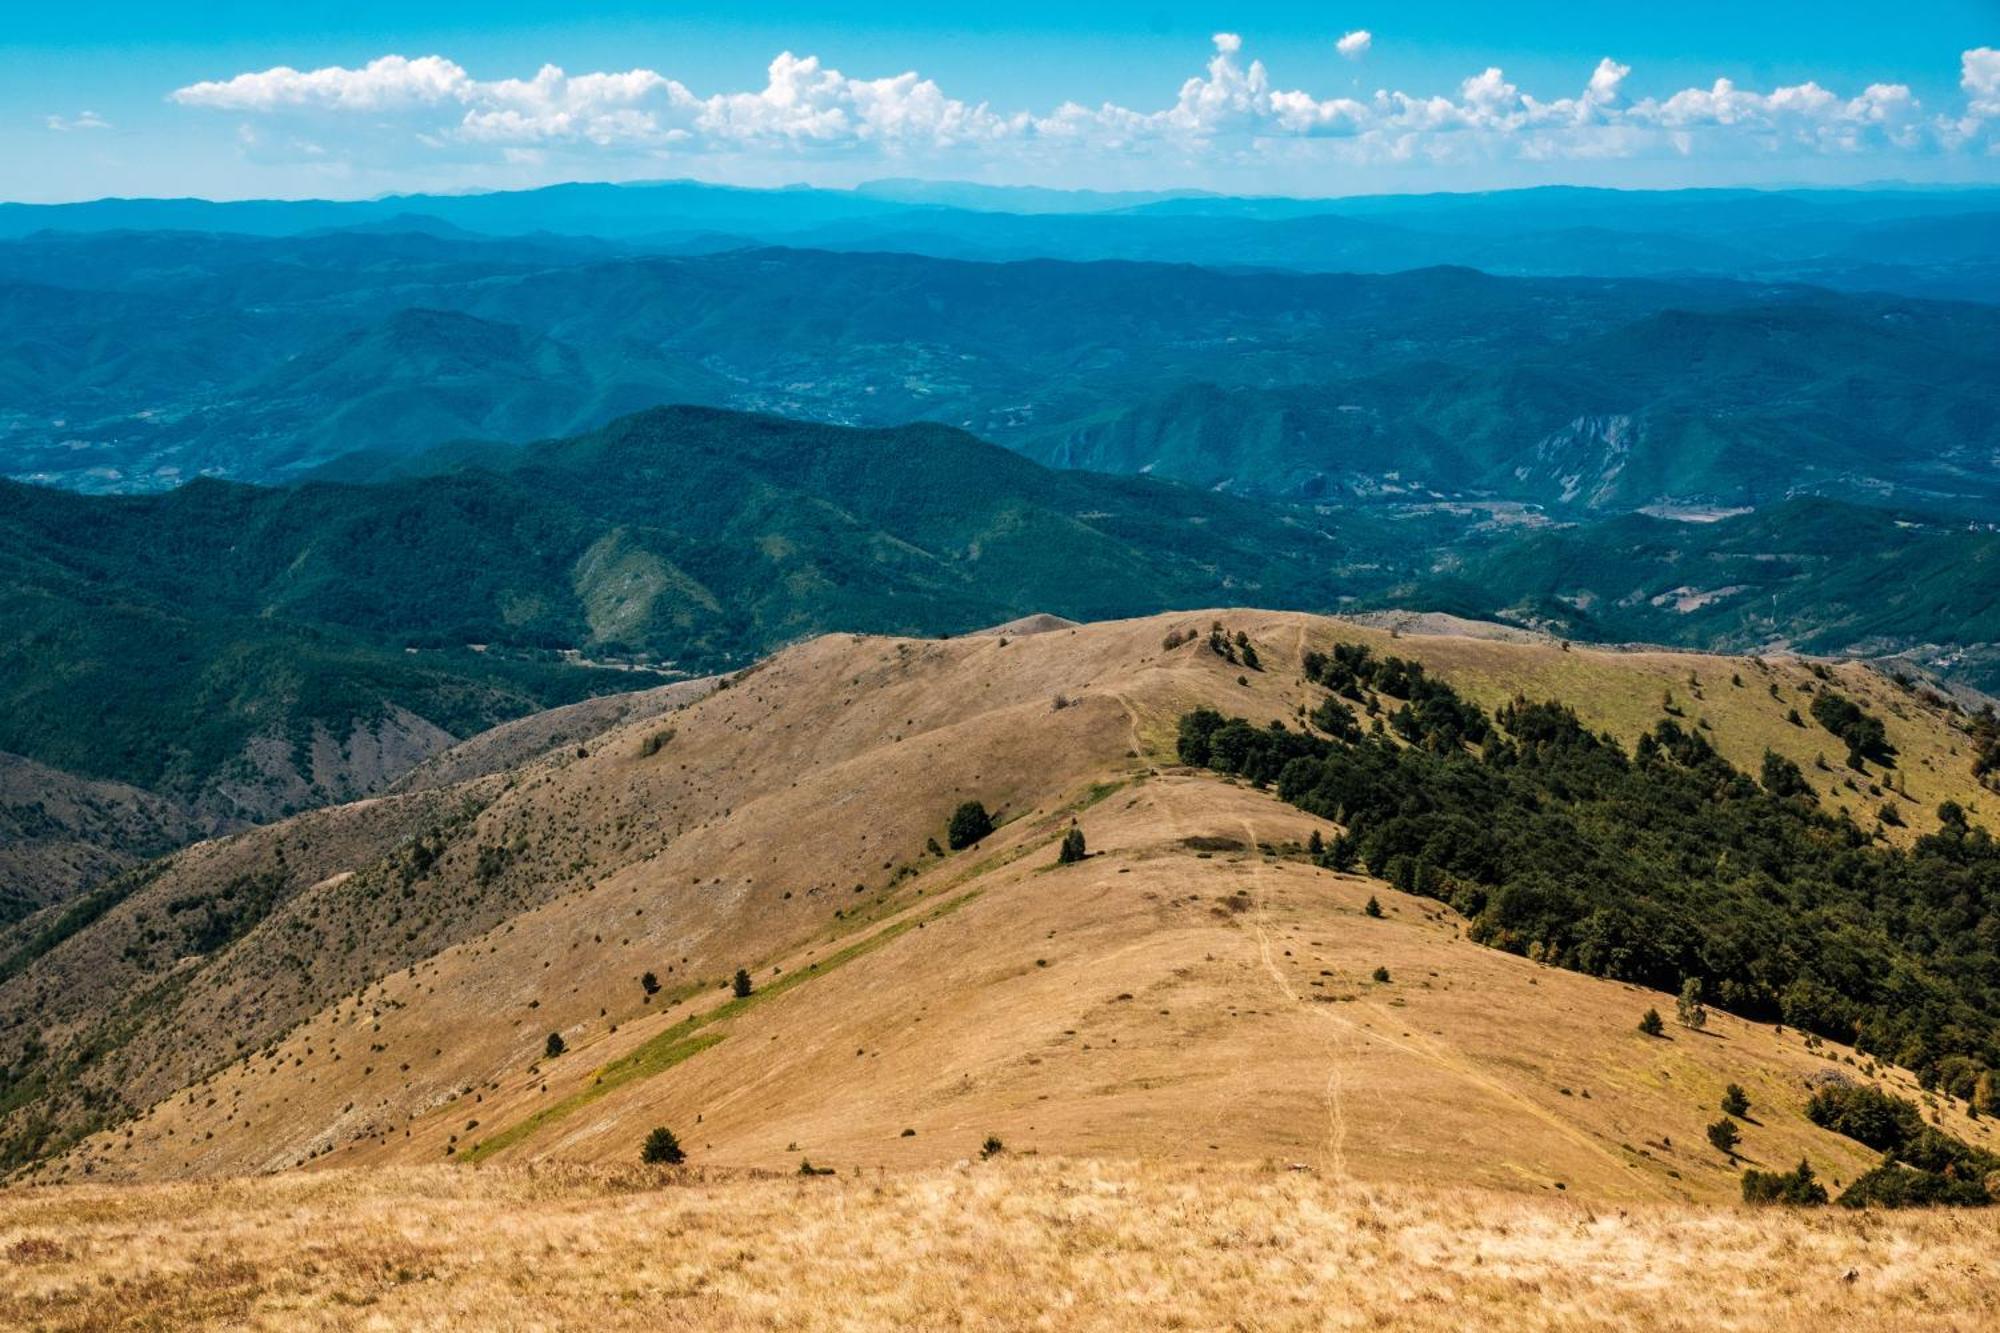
(229, 99)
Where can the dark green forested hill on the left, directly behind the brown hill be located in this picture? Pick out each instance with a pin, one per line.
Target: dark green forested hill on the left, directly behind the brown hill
(255, 651)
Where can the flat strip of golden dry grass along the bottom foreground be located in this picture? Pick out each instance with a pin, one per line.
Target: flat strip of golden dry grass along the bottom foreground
(981, 1246)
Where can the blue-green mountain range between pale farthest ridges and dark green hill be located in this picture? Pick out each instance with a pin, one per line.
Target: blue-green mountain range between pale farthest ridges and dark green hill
(139, 361)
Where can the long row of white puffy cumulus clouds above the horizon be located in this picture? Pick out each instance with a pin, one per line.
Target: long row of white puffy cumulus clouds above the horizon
(1233, 107)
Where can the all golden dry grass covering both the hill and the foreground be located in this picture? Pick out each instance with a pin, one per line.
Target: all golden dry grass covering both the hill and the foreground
(1159, 1034)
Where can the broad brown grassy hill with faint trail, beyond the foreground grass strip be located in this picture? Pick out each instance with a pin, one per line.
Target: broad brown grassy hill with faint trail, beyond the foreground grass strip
(377, 984)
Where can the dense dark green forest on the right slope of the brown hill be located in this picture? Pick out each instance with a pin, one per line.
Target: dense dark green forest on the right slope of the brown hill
(1651, 866)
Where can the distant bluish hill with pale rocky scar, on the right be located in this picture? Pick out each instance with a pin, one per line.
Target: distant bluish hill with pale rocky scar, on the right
(1725, 407)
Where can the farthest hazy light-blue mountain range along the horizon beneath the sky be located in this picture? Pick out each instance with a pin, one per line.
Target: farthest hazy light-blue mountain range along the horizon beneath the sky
(1937, 243)
